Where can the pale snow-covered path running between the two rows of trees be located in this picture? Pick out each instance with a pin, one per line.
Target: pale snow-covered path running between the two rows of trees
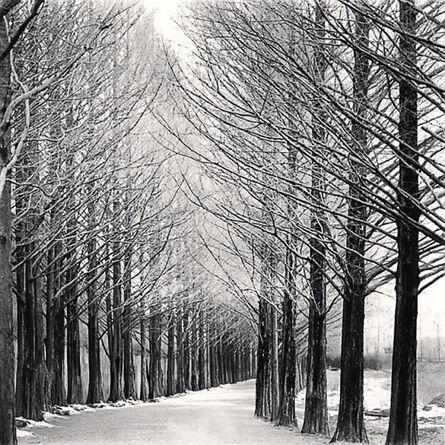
(217, 416)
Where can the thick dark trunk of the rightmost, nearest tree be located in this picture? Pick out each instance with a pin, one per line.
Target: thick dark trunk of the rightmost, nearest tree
(403, 413)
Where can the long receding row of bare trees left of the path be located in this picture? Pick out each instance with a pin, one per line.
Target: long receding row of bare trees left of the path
(95, 236)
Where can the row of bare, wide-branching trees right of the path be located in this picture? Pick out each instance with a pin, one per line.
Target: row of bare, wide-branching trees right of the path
(323, 130)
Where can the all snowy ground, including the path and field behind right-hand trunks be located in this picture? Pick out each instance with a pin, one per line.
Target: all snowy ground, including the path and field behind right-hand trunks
(217, 416)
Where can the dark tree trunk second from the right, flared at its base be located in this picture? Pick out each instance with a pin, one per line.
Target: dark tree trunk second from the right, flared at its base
(350, 422)
